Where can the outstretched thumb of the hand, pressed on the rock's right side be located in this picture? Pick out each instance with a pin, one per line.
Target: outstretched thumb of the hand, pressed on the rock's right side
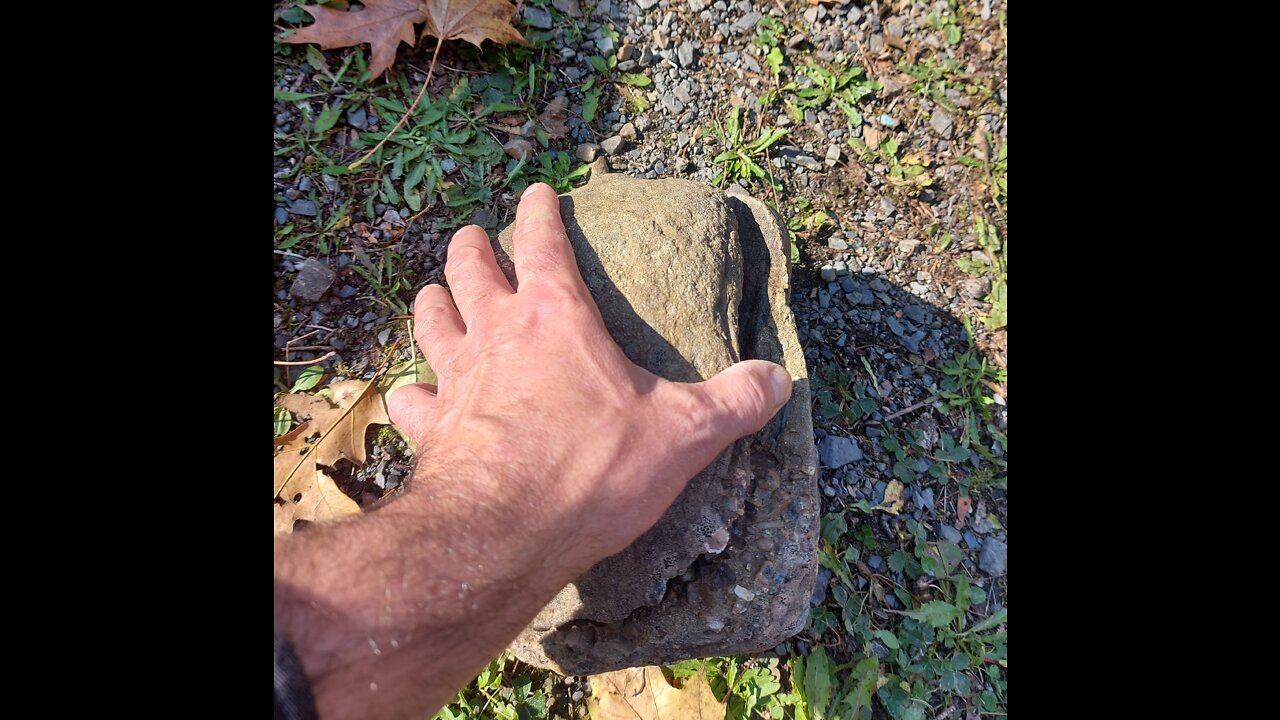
(746, 397)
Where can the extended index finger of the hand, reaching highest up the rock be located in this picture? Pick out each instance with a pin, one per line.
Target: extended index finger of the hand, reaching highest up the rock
(543, 252)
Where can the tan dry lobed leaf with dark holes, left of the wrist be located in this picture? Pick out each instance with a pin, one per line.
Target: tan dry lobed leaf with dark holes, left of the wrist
(335, 431)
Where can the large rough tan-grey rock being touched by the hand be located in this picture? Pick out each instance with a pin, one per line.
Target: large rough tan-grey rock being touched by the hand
(689, 281)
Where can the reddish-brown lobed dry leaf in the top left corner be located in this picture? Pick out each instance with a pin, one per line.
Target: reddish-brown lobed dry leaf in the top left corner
(383, 25)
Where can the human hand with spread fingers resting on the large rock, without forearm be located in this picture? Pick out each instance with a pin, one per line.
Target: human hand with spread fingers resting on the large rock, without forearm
(540, 417)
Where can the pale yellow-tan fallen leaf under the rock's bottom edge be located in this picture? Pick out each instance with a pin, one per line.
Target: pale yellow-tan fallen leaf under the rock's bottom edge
(643, 694)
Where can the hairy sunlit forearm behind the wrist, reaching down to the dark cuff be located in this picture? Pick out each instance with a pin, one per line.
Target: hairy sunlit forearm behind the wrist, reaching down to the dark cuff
(395, 612)
